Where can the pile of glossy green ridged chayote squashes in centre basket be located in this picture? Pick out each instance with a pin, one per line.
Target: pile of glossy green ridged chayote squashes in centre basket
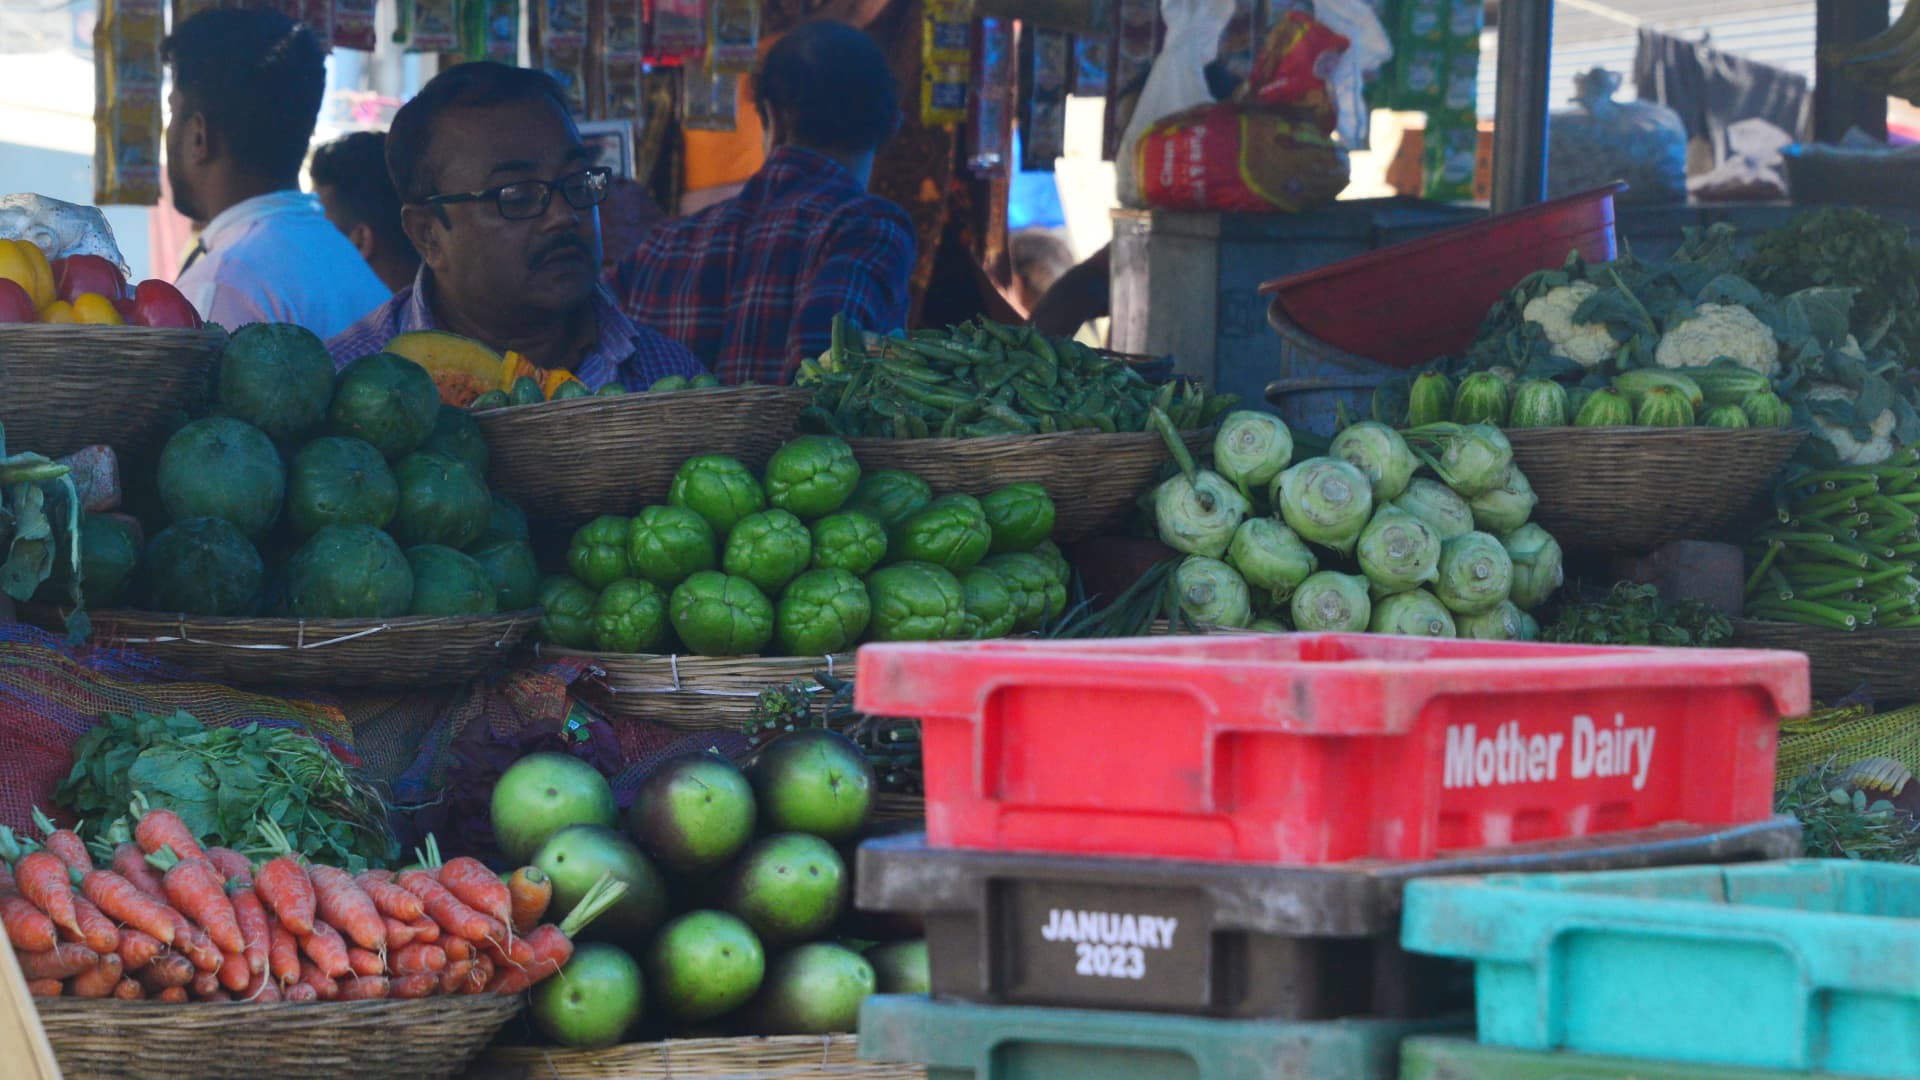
(809, 558)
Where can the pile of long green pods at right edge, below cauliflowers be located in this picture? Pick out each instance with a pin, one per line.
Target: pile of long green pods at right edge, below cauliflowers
(1846, 551)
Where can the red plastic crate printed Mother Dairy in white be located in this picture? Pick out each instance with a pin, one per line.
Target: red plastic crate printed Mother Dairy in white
(1322, 749)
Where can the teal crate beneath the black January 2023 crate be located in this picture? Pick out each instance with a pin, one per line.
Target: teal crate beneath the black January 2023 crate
(999, 1043)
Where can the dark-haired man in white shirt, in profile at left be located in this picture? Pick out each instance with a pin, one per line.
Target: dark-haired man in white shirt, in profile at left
(247, 89)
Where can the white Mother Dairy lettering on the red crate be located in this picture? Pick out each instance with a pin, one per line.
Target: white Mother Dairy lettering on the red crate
(1510, 758)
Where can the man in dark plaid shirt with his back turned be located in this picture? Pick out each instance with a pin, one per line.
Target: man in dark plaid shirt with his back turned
(752, 285)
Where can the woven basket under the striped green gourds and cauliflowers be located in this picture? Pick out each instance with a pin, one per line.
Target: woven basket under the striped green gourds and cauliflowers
(1633, 489)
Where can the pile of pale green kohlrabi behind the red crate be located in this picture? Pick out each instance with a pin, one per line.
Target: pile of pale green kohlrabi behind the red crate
(1393, 533)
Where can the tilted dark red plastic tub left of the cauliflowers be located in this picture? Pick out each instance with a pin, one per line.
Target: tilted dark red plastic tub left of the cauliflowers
(1414, 303)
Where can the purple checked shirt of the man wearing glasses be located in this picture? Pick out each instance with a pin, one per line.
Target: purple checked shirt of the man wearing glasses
(633, 355)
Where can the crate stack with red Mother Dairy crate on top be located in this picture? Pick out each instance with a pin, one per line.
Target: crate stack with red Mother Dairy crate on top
(1186, 858)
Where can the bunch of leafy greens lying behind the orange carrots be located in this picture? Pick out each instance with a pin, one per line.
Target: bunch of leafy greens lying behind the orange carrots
(224, 783)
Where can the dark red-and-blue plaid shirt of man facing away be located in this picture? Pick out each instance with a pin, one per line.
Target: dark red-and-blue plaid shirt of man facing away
(752, 285)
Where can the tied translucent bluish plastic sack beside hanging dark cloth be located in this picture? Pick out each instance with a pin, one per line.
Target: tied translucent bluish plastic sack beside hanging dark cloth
(1600, 141)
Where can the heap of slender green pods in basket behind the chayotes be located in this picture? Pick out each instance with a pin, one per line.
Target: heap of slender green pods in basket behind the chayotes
(984, 380)
